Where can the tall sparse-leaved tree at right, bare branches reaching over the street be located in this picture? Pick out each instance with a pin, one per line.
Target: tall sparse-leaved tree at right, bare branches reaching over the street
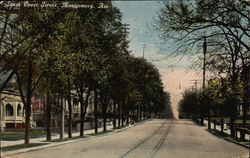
(225, 25)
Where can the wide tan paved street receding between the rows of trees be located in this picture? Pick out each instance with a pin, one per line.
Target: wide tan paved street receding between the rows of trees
(153, 139)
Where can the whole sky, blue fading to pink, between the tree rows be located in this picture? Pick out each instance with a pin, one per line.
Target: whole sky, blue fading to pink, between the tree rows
(140, 15)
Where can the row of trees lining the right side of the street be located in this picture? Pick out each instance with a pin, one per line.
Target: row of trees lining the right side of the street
(222, 28)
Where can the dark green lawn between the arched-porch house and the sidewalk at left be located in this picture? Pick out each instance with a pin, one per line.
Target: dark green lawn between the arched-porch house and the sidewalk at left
(9, 136)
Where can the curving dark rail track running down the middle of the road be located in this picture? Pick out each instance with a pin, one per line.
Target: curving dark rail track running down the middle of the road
(148, 147)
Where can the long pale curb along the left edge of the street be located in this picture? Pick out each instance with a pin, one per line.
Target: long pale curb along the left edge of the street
(52, 144)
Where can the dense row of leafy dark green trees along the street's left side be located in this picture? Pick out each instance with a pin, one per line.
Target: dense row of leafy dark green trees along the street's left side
(59, 52)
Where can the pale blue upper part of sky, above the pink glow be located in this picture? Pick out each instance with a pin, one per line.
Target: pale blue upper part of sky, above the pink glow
(140, 15)
